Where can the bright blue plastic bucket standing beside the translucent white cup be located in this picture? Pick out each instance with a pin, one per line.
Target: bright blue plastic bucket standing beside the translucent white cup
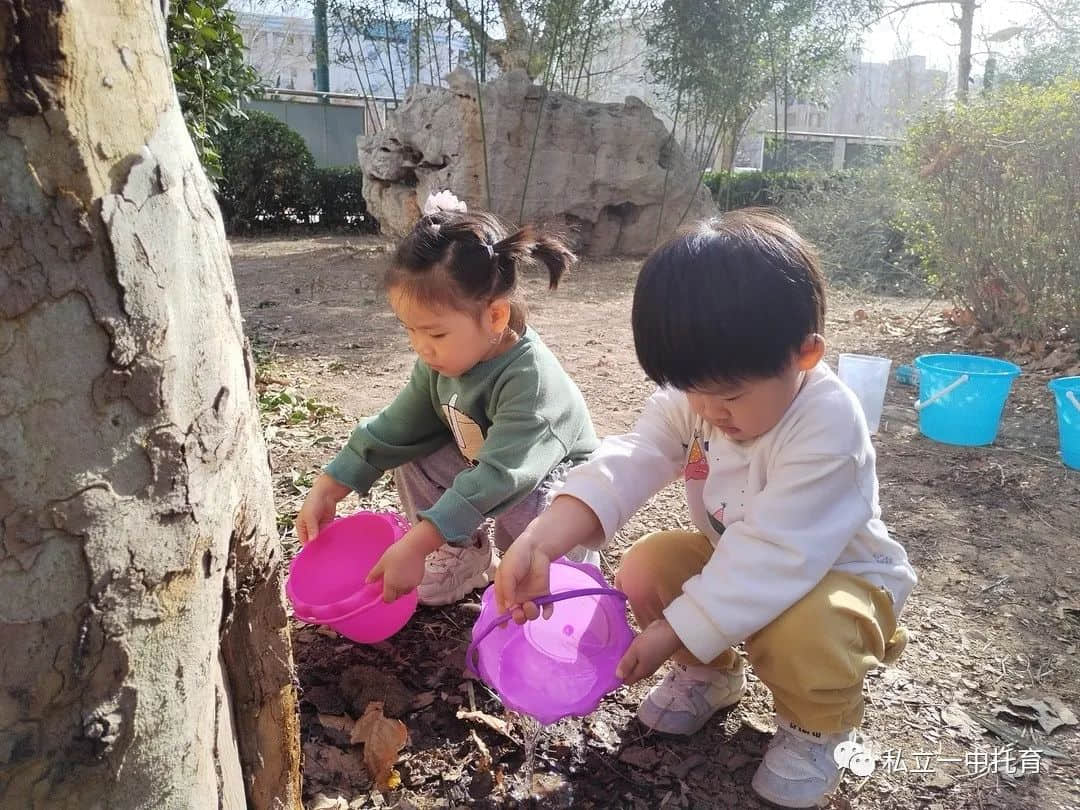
(962, 397)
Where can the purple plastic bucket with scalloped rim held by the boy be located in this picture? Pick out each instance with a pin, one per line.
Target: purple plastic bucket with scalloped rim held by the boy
(560, 667)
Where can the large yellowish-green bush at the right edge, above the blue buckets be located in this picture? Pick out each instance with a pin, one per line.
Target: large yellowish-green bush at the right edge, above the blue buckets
(994, 207)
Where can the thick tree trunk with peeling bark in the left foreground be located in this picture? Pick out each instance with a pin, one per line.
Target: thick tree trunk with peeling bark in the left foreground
(146, 660)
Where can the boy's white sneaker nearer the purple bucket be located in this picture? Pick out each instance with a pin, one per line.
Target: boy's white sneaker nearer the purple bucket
(688, 696)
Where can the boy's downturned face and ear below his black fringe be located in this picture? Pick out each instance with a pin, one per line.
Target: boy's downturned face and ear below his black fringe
(750, 409)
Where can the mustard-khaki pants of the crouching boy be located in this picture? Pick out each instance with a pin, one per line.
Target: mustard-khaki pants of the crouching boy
(813, 657)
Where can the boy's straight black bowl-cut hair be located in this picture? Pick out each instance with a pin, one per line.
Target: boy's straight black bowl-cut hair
(728, 301)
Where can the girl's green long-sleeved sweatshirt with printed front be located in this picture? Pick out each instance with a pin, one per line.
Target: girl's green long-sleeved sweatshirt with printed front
(516, 417)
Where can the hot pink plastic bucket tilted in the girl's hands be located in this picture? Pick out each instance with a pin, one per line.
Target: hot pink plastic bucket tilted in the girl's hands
(327, 579)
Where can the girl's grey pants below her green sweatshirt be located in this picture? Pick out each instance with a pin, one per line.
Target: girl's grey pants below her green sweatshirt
(423, 482)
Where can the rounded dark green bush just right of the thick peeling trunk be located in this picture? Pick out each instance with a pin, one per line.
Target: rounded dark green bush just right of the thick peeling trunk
(267, 174)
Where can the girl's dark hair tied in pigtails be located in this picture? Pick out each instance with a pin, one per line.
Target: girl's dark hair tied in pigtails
(463, 261)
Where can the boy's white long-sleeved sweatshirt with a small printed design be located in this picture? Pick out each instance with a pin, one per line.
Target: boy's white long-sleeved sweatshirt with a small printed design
(792, 506)
